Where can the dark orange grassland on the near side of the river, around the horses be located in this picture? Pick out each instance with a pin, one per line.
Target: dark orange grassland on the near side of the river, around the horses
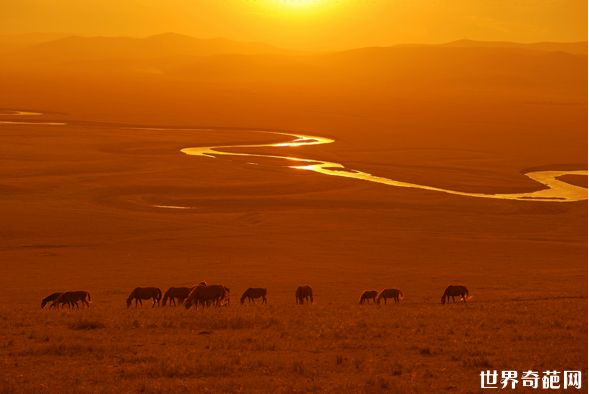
(78, 214)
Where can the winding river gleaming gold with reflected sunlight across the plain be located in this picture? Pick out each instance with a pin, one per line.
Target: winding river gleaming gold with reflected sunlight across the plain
(554, 190)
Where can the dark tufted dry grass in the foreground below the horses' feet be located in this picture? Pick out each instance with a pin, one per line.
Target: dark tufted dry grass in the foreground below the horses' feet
(329, 347)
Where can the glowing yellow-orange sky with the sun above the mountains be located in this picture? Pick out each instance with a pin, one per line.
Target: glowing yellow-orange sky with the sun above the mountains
(307, 23)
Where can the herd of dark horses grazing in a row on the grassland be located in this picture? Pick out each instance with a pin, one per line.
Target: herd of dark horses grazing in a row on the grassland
(219, 295)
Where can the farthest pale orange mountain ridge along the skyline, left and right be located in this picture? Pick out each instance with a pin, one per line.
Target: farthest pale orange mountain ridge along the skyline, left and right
(56, 47)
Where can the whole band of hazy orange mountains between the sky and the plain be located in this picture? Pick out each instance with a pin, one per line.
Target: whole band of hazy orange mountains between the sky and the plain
(452, 68)
